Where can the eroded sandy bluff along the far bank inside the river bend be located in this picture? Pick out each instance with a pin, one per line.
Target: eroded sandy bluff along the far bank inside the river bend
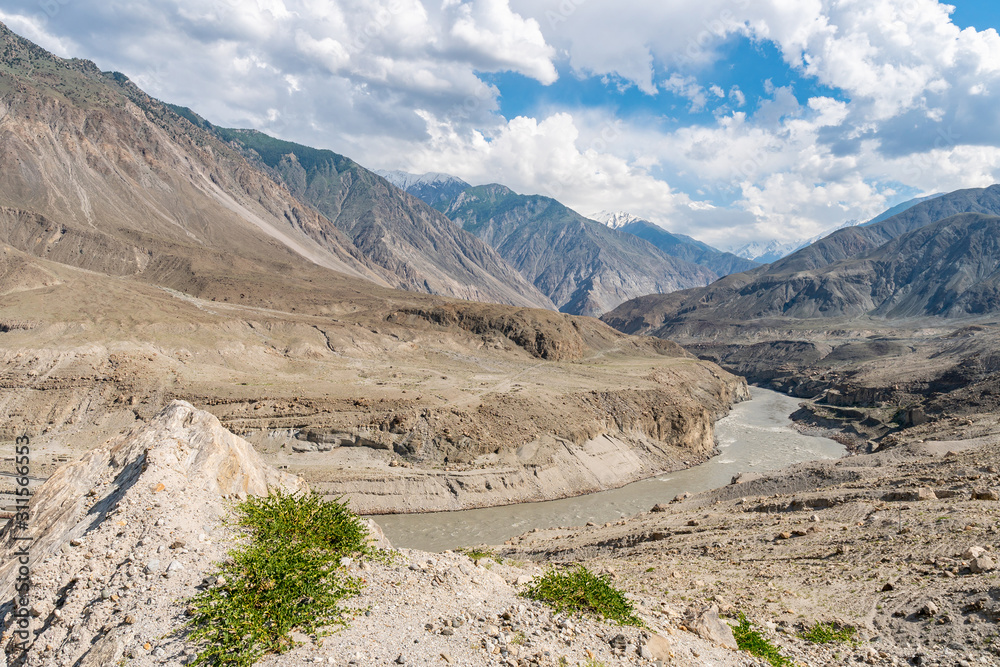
(564, 445)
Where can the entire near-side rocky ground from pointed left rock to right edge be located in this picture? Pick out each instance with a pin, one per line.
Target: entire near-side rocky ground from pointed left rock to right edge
(901, 546)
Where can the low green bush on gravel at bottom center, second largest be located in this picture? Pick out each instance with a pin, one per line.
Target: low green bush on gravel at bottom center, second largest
(580, 590)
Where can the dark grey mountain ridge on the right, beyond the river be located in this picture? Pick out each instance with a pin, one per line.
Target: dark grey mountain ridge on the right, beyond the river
(935, 259)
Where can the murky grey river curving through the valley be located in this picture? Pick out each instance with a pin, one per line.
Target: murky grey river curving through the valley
(757, 436)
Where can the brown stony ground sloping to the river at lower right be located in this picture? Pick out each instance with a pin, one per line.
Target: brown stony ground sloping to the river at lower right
(855, 543)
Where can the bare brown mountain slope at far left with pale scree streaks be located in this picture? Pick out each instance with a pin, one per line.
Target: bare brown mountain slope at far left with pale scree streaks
(98, 175)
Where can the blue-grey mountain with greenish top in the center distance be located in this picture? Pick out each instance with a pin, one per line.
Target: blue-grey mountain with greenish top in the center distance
(583, 266)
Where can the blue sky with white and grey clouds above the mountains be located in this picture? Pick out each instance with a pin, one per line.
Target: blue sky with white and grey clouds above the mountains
(729, 120)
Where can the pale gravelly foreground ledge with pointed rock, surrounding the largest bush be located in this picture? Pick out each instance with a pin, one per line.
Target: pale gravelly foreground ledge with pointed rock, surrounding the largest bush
(123, 537)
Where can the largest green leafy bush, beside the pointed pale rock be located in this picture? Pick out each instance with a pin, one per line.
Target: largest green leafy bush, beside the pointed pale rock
(285, 576)
